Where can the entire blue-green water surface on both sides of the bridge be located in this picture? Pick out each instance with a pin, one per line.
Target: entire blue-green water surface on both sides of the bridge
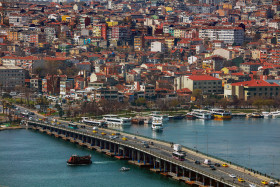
(29, 158)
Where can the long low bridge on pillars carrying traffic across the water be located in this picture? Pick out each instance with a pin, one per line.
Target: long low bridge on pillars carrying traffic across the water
(157, 156)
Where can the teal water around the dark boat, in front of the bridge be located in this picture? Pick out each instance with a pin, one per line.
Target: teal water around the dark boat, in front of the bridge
(29, 158)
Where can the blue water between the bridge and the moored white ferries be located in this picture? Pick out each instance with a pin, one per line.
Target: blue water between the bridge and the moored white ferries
(254, 143)
